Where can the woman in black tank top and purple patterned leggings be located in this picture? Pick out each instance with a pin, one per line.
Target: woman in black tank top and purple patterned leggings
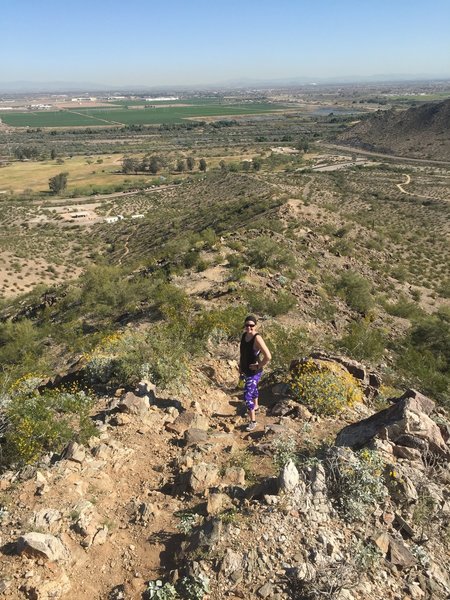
(254, 356)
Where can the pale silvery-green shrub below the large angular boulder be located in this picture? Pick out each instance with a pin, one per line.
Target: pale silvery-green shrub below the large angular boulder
(356, 482)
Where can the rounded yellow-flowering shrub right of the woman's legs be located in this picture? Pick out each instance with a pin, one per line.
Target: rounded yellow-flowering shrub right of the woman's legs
(324, 387)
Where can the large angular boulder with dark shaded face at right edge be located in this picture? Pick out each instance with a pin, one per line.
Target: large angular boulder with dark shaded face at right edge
(405, 423)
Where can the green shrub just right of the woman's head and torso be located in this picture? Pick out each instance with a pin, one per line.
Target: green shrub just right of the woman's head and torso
(285, 344)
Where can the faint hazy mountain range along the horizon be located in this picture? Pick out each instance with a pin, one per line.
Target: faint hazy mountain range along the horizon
(84, 86)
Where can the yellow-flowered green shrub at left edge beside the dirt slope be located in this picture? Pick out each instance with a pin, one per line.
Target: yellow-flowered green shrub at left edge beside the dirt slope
(46, 422)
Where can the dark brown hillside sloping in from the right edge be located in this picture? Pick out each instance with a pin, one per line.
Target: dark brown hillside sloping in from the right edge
(419, 132)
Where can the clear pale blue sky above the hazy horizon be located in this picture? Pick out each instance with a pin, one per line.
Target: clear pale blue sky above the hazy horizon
(126, 42)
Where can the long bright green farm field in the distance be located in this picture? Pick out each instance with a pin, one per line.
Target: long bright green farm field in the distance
(83, 117)
